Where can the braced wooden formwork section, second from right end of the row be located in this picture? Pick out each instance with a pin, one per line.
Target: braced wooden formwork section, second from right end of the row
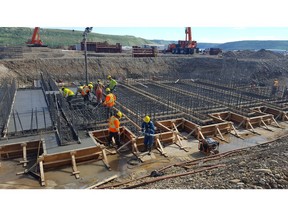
(248, 123)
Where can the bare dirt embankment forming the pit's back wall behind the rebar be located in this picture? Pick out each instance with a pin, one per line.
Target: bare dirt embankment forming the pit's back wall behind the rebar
(232, 67)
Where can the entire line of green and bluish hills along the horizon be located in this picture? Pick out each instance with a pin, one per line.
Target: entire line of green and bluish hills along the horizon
(56, 38)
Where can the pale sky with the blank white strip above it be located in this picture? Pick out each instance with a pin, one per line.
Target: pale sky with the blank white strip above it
(211, 21)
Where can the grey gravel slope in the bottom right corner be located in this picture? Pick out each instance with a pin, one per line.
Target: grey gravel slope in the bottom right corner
(260, 167)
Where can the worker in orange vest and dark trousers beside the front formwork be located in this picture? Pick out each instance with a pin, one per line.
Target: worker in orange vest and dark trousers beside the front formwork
(114, 129)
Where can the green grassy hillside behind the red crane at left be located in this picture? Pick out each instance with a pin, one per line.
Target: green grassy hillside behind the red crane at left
(62, 38)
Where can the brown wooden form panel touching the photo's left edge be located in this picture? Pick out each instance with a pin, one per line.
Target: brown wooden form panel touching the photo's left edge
(15, 150)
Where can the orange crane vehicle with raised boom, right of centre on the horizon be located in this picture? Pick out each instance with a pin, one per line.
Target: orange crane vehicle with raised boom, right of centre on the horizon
(187, 46)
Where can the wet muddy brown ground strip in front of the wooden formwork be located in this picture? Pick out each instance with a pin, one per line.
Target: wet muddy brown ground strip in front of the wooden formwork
(125, 165)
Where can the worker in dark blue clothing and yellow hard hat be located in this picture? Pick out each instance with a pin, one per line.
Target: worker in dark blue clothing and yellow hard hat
(148, 129)
